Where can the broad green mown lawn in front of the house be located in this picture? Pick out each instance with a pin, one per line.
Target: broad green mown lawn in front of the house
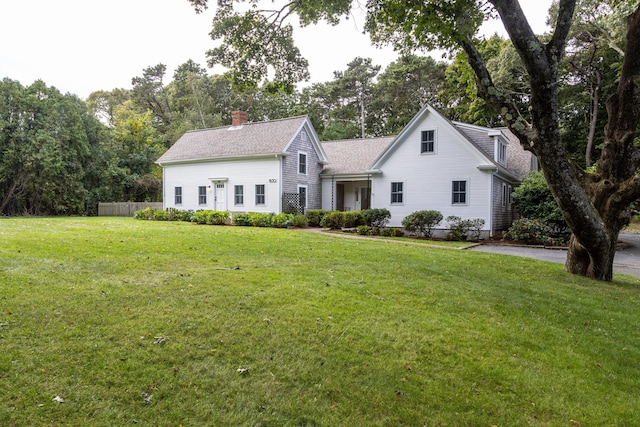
(167, 324)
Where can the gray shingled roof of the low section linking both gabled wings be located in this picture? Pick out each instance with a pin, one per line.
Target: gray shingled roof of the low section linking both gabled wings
(353, 156)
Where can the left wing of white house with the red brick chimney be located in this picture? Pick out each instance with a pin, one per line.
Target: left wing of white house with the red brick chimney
(269, 166)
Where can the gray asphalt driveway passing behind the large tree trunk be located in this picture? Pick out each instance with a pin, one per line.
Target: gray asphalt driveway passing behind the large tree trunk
(626, 261)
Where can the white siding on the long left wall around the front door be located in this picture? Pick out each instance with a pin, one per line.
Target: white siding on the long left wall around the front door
(247, 173)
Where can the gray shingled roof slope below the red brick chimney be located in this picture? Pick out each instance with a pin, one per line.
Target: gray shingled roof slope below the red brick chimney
(250, 139)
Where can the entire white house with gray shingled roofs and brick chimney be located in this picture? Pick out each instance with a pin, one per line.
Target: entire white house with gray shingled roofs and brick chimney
(280, 166)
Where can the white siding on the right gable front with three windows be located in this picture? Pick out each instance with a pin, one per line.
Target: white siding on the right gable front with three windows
(427, 178)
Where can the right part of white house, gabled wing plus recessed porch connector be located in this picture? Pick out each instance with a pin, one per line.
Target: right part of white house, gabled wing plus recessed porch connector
(433, 164)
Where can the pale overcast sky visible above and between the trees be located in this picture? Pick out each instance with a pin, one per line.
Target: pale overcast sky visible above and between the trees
(80, 46)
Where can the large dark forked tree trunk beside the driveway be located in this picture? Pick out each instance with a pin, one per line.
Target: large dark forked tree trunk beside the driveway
(595, 206)
